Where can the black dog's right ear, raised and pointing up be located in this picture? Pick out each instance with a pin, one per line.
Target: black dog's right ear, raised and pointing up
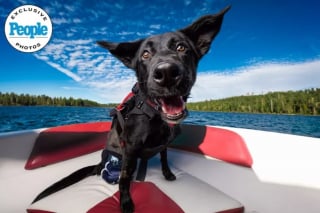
(203, 31)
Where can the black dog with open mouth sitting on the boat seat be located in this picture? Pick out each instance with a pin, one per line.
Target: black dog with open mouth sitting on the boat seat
(165, 66)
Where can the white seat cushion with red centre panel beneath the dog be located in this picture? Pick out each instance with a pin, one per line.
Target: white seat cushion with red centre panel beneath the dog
(186, 194)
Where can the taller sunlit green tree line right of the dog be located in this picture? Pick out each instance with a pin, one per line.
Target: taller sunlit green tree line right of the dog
(305, 102)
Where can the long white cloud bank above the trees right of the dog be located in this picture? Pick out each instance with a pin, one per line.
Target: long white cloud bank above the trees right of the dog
(257, 79)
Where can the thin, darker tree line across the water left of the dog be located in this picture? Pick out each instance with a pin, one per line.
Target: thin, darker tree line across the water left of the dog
(13, 99)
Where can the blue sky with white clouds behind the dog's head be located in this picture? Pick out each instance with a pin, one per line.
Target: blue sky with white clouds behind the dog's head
(267, 45)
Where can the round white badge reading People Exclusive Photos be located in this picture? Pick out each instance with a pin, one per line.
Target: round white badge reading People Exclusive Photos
(28, 28)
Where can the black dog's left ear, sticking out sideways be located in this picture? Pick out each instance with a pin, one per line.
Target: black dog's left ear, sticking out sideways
(125, 51)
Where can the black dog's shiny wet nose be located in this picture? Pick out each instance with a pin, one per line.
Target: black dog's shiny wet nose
(167, 74)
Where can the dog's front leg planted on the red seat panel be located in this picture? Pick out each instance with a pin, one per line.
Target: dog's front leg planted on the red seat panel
(129, 163)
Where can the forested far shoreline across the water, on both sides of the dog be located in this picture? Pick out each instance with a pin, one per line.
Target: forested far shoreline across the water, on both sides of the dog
(303, 102)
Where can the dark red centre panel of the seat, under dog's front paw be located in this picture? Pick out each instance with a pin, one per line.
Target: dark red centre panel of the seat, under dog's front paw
(147, 198)
